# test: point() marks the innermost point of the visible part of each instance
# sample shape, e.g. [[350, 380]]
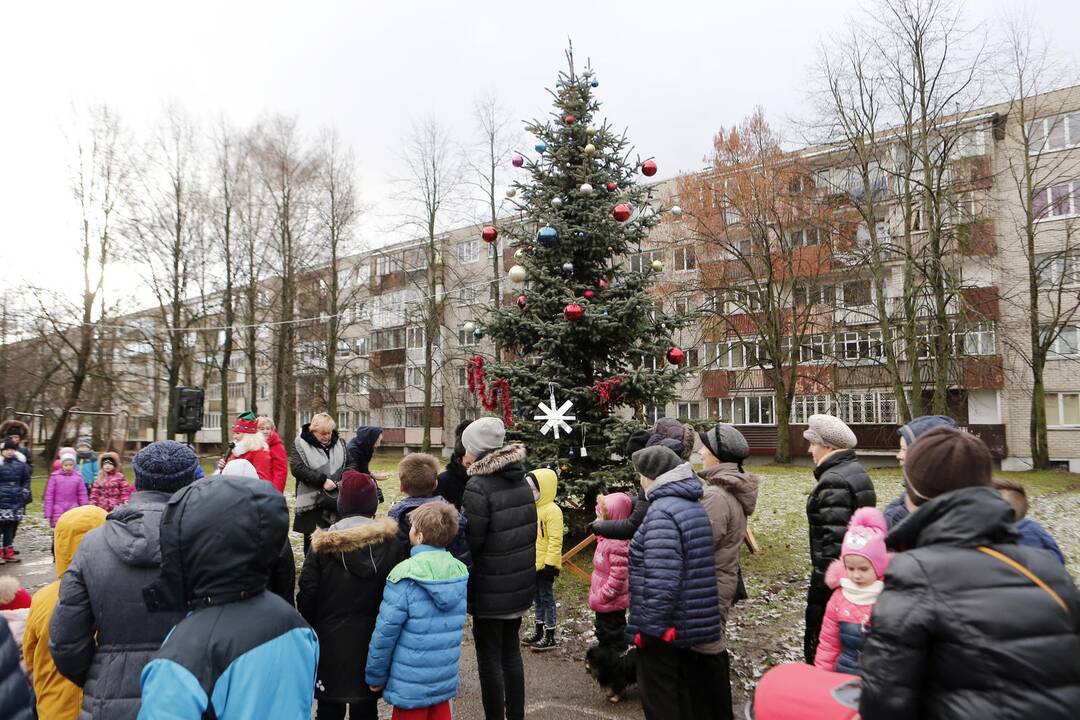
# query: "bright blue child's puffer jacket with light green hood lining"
[[417, 644]]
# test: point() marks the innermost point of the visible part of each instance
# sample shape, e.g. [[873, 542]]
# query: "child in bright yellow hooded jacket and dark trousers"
[[545, 483]]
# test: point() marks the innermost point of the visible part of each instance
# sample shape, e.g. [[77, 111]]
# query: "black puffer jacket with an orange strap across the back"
[[960, 634]]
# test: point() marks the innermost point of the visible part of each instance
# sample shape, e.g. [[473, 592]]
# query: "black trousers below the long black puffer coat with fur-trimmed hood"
[[499, 662]]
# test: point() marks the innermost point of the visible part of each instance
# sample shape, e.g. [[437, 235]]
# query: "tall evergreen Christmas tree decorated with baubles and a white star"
[[584, 330]]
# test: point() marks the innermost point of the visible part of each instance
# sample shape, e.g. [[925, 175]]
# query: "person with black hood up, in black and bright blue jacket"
[[241, 653]]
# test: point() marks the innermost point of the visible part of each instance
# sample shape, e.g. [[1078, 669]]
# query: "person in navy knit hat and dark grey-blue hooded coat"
[[102, 634]]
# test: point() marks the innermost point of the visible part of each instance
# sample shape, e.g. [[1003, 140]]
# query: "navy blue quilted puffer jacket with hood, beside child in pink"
[[672, 573]]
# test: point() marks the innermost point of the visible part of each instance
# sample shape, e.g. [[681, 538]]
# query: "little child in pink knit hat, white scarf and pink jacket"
[[857, 582]]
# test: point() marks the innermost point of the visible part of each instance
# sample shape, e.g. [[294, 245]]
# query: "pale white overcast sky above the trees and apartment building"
[[672, 72]]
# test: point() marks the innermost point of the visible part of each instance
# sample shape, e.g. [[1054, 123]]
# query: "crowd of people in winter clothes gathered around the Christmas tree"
[[179, 599]]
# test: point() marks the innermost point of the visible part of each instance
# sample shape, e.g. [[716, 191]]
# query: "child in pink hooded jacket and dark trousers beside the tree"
[[610, 597]]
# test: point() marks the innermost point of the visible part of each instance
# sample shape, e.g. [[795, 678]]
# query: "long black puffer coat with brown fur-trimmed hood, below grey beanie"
[[503, 534]]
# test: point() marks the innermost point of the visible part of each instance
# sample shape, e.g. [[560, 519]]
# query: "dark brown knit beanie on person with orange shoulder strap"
[[947, 459]]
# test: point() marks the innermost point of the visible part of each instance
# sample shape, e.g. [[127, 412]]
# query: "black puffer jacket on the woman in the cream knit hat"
[[843, 487]]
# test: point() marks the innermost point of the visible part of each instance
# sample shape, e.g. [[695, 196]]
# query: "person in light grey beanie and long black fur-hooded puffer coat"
[[502, 533]]
